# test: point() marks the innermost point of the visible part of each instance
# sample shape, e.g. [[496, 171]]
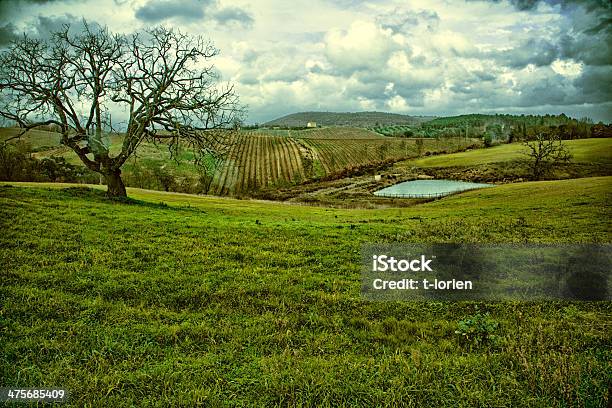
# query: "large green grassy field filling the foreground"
[[178, 300]]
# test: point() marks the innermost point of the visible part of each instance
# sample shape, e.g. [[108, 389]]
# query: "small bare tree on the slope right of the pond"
[[544, 153]]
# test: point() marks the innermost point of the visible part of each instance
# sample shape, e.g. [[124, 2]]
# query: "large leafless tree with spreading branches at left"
[[160, 79]]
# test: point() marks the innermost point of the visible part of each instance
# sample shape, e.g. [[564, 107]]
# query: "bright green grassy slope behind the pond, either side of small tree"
[[583, 150]]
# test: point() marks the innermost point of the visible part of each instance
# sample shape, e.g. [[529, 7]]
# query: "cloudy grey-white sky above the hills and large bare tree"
[[434, 57]]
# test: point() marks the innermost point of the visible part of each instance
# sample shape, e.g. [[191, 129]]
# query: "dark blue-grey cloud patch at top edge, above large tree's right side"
[[158, 10]]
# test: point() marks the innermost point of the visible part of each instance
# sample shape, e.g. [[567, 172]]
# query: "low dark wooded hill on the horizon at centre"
[[357, 119]]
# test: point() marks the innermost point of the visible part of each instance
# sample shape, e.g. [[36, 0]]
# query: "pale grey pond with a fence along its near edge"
[[428, 188]]
